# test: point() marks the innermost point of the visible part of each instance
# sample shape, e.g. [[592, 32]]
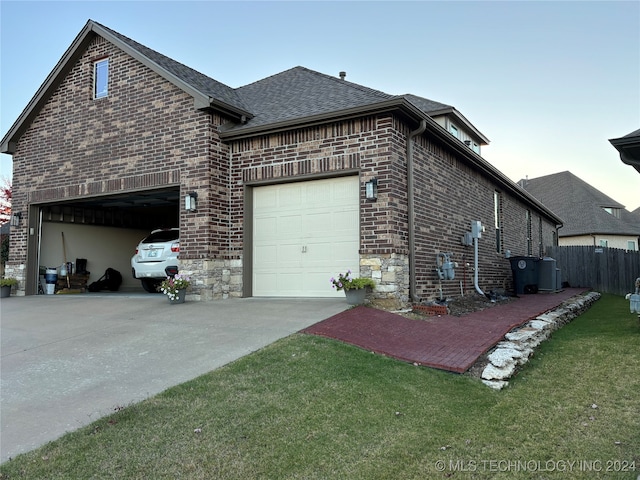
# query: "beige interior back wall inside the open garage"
[[103, 247]]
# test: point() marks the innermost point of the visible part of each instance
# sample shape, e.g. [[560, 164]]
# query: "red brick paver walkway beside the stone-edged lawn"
[[446, 342]]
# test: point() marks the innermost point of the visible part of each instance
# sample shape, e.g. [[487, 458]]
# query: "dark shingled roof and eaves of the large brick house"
[[291, 99]]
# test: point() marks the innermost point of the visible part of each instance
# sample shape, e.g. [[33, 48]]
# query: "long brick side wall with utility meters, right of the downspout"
[[450, 194]]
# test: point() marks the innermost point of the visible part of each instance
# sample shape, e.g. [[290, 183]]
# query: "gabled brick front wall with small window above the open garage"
[[145, 134]]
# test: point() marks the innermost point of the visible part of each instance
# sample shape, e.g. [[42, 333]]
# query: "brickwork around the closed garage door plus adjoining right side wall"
[[449, 195]]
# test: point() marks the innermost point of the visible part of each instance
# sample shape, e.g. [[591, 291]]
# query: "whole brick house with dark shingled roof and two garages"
[[118, 134]]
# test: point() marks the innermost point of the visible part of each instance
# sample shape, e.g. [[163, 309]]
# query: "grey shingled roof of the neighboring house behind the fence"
[[581, 206]]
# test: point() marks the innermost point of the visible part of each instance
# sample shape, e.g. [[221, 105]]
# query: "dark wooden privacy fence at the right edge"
[[606, 270]]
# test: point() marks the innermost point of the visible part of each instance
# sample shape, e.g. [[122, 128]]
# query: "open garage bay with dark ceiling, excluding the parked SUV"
[[104, 231]]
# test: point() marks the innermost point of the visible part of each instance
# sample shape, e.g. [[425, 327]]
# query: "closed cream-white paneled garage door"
[[304, 233]]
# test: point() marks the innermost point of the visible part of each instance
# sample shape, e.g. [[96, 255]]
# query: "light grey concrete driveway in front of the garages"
[[68, 360]]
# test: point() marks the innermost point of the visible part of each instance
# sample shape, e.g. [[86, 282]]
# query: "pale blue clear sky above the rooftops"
[[548, 82]]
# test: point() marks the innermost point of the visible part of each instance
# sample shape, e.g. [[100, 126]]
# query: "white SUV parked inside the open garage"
[[156, 258]]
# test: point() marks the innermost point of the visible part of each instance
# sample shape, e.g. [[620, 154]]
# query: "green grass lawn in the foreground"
[[312, 408]]
